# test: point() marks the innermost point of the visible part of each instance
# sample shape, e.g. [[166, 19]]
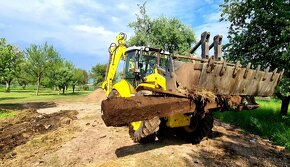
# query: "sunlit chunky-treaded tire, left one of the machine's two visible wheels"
[[146, 132]]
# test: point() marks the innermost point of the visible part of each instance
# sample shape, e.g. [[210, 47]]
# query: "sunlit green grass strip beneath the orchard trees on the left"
[[21, 96]]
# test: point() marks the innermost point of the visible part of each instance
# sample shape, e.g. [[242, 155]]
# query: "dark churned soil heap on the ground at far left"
[[17, 131]]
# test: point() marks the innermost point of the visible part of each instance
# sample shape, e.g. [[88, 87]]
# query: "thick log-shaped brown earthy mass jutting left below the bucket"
[[121, 111]]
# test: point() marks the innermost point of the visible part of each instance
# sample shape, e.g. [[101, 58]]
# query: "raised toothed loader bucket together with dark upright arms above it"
[[220, 77]]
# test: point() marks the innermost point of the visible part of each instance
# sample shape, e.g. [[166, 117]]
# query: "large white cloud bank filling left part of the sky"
[[87, 23]]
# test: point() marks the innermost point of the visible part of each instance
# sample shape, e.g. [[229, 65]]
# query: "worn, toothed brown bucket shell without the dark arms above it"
[[222, 78]]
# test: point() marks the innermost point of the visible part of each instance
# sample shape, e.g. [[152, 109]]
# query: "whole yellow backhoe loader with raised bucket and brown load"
[[160, 91]]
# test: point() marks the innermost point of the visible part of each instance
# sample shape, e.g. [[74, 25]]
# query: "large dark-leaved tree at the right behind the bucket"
[[259, 33]]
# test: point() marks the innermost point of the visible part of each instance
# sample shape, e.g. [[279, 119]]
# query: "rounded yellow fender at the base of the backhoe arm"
[[124, 88]]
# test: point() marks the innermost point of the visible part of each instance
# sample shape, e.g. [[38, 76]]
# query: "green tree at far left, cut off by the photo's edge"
[[10, 59]]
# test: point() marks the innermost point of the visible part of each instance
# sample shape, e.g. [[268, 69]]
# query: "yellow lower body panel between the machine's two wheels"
[[178, 120]]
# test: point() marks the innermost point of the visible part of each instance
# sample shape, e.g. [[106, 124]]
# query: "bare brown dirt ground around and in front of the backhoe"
[[73, 134]]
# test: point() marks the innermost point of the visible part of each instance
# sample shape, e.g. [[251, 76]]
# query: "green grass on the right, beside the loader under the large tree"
[[264, 121]]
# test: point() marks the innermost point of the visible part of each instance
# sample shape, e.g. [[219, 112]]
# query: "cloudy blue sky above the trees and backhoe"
[[81, 30]]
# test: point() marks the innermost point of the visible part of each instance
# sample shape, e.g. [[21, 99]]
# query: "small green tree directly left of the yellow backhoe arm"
[[98, 73]]
